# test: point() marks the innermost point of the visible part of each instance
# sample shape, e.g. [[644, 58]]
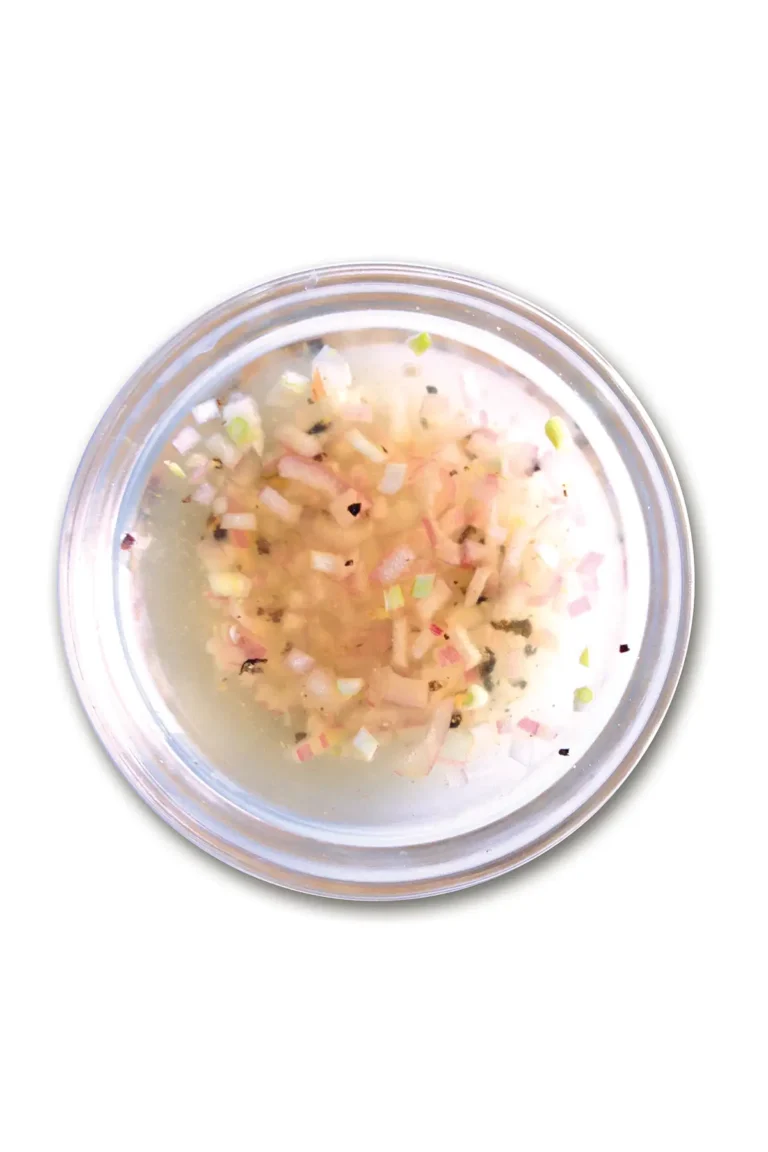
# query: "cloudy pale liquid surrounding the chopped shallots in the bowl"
[[245, 752]]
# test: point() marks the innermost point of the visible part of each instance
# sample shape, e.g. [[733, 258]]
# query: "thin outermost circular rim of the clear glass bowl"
[[370, 890]]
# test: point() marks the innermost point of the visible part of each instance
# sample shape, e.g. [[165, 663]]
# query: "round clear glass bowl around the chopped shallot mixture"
[[354, 835]]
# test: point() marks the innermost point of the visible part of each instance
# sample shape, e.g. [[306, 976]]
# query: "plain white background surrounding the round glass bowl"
[[605, 160]]
